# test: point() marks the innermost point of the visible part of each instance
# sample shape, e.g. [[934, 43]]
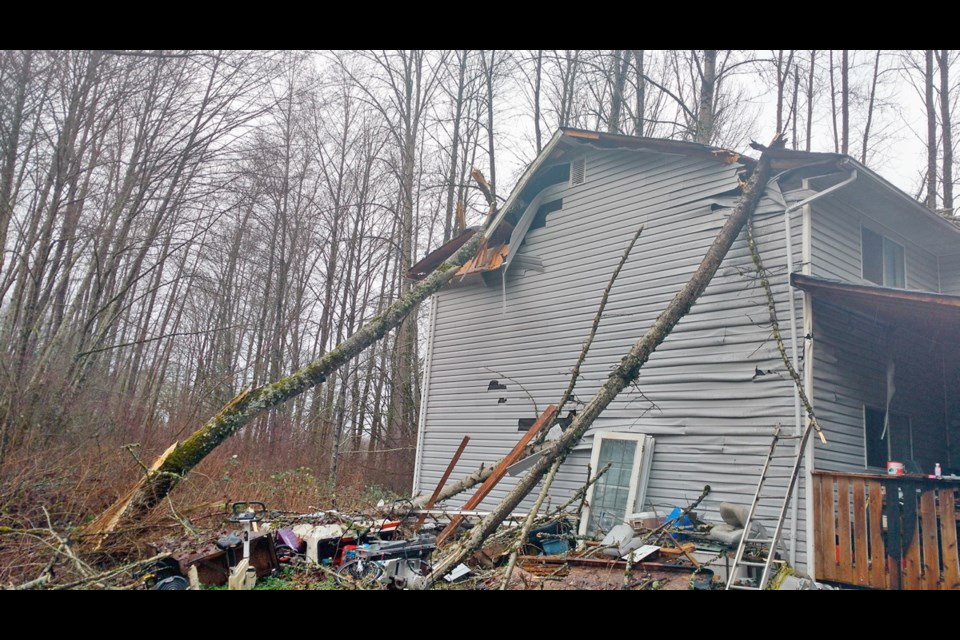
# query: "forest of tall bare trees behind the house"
[[178, 225]]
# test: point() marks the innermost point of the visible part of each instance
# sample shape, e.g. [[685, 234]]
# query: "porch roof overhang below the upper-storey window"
[[935, 315]]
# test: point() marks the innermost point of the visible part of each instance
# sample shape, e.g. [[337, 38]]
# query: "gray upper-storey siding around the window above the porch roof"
[[836, 247]]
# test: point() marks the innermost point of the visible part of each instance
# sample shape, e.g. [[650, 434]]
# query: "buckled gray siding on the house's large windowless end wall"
[[711, 415]]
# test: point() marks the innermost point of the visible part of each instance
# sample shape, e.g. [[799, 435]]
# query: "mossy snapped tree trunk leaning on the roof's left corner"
[[176, 462]]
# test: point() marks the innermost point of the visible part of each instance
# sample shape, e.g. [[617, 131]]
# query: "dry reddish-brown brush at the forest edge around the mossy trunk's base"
[[62, 486]]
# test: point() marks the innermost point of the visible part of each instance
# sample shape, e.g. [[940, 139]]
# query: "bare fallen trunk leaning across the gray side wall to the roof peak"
[[624, 374]]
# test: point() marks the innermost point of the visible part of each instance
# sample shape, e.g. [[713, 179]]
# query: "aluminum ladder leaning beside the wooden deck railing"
[[768, 495]]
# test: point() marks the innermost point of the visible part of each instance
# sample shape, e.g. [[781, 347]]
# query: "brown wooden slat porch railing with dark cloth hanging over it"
[[886, 532]]
